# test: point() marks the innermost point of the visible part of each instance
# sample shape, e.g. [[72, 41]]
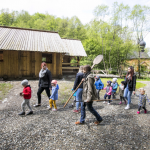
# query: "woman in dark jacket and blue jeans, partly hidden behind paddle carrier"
[[79, 77]]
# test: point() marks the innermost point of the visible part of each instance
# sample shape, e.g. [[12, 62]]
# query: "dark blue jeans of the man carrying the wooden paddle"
[[91, 109]]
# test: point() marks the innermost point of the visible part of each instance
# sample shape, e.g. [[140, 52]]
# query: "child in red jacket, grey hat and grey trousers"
[[27, 95]]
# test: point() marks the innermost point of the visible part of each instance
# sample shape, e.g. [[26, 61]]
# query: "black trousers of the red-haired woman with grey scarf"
[[40, 90]]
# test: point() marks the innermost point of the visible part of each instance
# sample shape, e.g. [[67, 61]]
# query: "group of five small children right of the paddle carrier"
[[111, 89]]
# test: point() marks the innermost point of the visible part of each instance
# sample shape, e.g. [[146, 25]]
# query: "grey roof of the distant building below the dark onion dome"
[[135, 55]]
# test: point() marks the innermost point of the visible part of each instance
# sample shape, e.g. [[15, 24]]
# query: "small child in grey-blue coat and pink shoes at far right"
[[142, 100]]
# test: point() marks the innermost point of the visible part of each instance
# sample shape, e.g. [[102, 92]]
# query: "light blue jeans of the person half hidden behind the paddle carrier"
[[79, 98]]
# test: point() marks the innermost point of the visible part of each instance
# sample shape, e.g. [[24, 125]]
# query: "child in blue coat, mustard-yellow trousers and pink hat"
[[54, 95]]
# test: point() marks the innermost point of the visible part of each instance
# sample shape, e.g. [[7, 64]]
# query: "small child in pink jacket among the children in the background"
[[108, 89]]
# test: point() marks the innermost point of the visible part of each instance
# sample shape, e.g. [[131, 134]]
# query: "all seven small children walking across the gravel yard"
[[111, 89]]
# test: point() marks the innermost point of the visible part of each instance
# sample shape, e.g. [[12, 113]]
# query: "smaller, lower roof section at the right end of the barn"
[[74, 47]]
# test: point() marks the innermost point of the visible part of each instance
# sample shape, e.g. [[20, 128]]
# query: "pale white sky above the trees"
[[83, 9]]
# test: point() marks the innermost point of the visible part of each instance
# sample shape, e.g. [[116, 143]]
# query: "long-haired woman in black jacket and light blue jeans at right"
[[130, 85]]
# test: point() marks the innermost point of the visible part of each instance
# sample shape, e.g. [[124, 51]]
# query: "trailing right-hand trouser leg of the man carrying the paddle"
[[93, 111]]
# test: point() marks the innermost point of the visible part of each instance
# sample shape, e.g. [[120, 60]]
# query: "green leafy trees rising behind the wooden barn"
[[108, 34]]
